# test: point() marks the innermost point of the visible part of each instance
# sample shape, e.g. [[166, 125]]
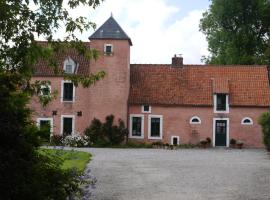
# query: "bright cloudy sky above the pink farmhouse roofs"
[[158, 28]]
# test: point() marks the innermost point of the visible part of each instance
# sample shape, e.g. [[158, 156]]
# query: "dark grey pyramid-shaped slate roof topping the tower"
[[110, 30]]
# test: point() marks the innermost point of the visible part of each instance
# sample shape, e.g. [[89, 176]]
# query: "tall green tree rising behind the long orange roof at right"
[[237, 32]]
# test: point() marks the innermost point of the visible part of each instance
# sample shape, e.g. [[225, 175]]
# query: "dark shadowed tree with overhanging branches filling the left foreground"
[[24, 173]]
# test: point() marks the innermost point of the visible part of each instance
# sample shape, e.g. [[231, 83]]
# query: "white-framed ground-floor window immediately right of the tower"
[[136, 126]]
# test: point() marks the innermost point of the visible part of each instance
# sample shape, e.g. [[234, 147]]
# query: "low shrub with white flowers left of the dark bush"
[[76, 140]]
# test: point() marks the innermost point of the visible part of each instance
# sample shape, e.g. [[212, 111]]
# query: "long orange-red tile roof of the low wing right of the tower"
[[196, 84]]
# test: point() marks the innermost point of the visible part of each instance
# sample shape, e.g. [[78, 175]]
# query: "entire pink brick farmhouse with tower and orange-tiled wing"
[[173, 103]]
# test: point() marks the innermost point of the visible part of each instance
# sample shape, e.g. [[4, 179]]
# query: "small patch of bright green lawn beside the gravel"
[[71, 158]]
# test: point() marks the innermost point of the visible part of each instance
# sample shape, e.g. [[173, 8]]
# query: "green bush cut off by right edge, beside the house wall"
[[264, 121]]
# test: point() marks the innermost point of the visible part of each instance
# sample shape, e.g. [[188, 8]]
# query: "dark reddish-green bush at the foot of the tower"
[[106, 134]]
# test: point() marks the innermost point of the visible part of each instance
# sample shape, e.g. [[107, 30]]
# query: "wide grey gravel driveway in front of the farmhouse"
[[218, 174]]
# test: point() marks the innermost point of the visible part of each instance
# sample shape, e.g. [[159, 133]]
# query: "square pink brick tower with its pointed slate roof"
[[110, 95]]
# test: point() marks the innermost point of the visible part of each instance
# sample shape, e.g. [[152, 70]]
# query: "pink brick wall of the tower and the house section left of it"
[[107, 96]]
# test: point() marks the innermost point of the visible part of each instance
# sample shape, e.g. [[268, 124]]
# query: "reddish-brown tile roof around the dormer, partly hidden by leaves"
[[42, 68]]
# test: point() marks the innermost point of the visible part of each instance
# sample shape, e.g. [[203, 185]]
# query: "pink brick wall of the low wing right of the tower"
[[176, 123]]
